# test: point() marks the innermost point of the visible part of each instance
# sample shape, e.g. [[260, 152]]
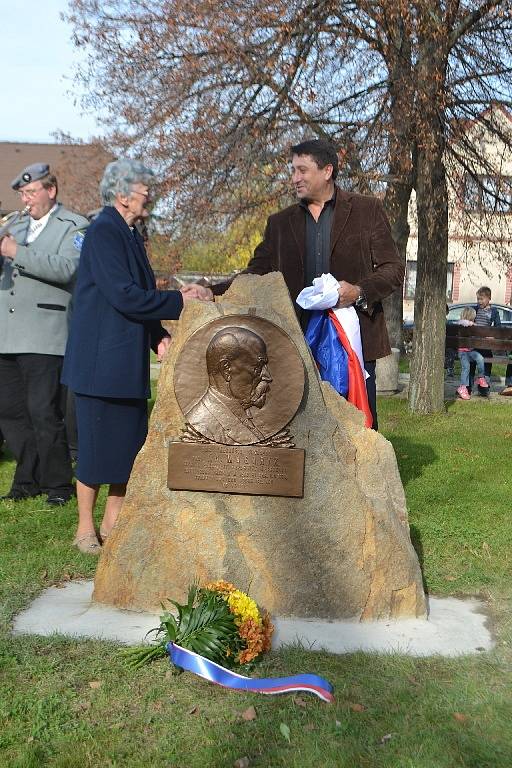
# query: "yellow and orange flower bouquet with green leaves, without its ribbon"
[[218, 622]]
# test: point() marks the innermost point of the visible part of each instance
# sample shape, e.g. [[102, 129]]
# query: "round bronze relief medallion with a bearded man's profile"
[[239, 380]]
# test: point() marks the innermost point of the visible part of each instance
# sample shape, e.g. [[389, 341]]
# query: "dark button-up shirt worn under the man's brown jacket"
[[318, 245]]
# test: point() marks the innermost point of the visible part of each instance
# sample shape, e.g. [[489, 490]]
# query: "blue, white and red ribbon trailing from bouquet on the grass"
[[209, 670]]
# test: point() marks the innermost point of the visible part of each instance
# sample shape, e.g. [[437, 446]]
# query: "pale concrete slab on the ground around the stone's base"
[[455, 627]]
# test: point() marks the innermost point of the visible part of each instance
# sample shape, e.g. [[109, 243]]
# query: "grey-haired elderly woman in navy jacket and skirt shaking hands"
[[116, 319]]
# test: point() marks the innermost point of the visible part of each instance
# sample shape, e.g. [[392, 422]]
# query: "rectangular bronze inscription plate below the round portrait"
[[237, 469]]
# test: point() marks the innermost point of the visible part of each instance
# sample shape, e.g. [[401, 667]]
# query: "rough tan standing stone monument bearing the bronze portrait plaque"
[[256, 472]]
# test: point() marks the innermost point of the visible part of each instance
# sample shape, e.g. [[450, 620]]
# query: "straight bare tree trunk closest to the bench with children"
[[426, 387]]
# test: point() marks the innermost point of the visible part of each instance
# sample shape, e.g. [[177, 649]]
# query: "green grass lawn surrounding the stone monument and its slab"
[[74, 704]]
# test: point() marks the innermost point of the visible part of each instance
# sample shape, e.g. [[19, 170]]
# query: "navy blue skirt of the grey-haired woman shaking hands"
[[111, 432]]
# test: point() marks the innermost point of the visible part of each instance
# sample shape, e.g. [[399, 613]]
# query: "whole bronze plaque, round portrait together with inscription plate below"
[[239, 381]]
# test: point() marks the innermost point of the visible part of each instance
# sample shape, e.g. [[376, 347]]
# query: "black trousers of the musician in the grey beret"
[[32, 422]]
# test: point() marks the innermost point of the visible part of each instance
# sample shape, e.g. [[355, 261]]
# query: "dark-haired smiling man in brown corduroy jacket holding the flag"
[[329, 230]]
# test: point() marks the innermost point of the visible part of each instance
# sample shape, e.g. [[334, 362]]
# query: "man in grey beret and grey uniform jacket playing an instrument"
[[39, 260]]
